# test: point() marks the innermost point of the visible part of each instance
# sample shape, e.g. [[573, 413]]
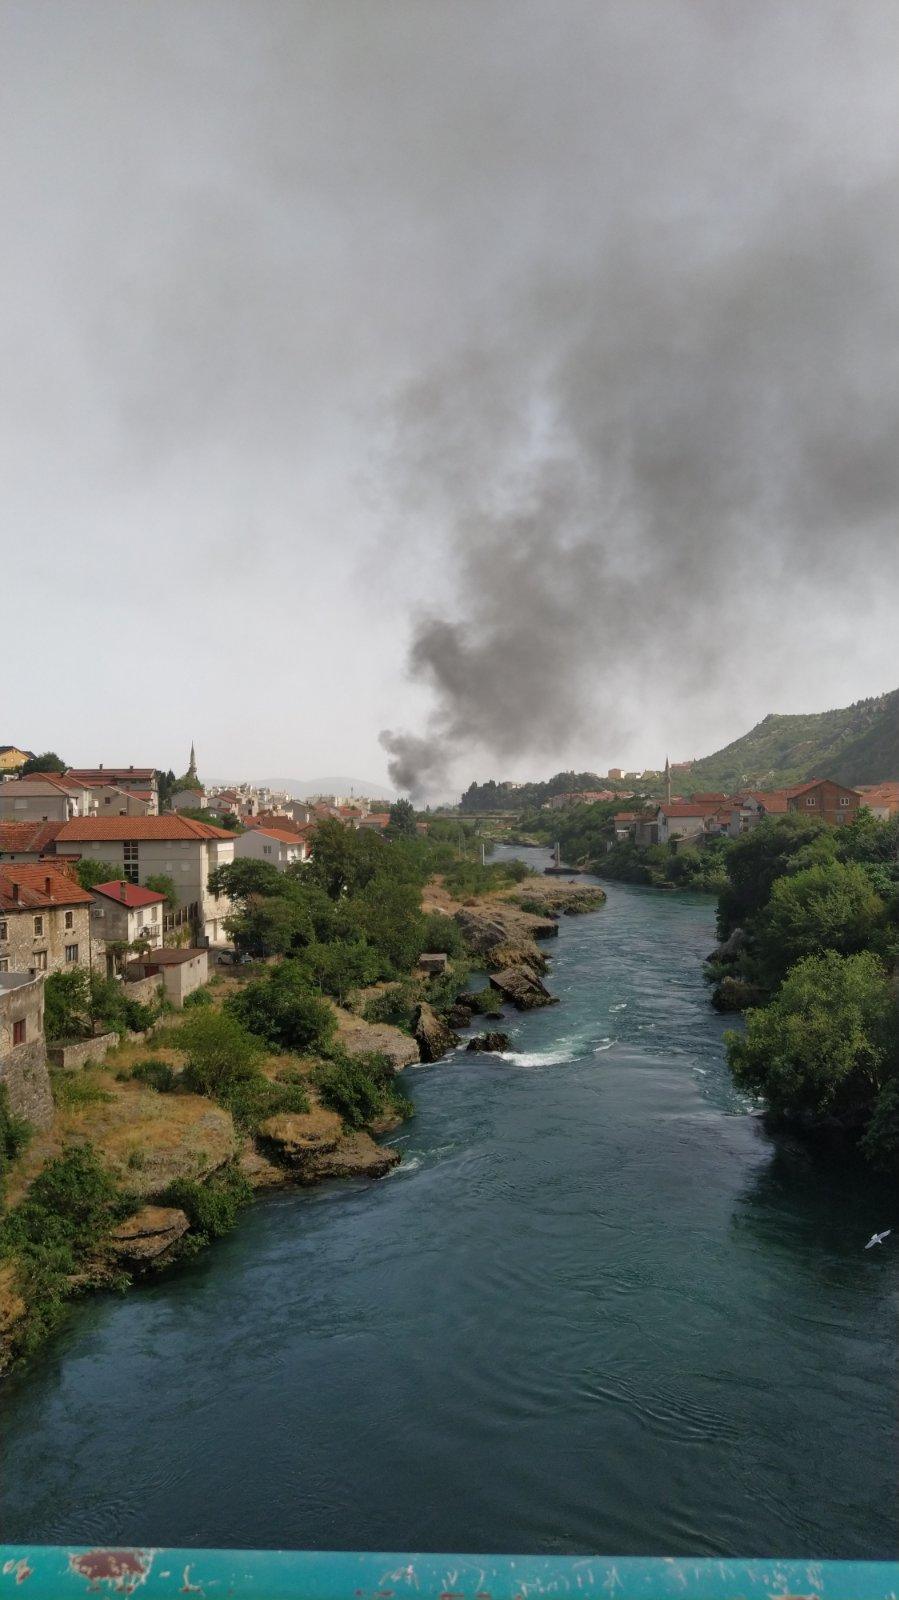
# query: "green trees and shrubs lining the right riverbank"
[[809, 927]]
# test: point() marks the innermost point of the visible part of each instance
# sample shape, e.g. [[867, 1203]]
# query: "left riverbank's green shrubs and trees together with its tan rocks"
[[279, 1073]]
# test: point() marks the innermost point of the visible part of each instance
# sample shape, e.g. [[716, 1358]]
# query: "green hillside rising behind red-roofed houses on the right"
[[858, 745]]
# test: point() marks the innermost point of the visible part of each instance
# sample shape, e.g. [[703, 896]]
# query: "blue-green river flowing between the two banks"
[[597, 1308]]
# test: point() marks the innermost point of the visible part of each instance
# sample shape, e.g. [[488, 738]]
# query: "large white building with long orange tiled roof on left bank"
[[177, 847]]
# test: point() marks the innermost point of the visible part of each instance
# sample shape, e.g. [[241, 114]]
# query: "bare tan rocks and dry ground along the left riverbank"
[[174, 1156]]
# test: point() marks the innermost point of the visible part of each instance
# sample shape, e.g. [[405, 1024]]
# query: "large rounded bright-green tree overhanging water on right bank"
[[826, 1046]]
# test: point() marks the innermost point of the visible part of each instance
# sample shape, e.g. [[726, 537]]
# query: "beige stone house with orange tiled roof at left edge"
[[46, 921]]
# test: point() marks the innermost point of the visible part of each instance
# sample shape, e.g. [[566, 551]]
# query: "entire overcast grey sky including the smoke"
[[521, 378]]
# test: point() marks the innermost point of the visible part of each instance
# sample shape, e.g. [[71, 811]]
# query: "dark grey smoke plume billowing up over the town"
[[673, 470]]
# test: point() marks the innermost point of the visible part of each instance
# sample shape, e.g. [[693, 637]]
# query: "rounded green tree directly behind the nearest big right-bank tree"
[[826, 908]]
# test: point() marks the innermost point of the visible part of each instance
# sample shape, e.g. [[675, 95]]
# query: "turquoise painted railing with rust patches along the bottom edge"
[[66, 1574]]
